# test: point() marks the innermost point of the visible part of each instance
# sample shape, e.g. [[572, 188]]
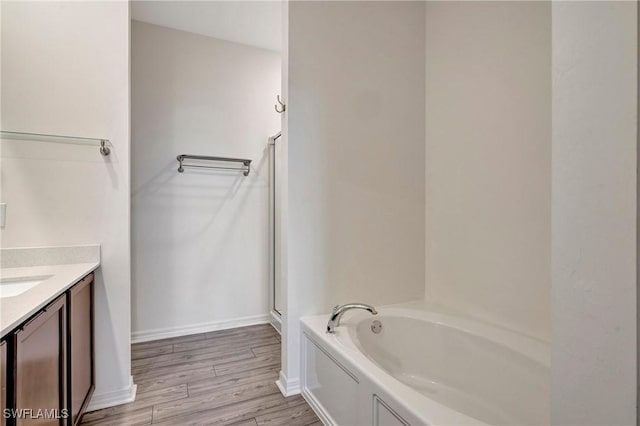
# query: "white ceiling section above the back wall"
[[256, 23]]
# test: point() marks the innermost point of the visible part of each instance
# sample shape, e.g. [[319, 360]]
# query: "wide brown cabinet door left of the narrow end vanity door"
[[40, 387]]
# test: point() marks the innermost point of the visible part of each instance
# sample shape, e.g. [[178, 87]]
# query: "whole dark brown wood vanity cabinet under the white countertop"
[[47, 362]]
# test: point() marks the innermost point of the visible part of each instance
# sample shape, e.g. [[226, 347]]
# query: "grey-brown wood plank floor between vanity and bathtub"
[[220, 378]]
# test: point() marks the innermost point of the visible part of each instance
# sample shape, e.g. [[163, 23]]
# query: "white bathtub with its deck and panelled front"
[[423, 367]]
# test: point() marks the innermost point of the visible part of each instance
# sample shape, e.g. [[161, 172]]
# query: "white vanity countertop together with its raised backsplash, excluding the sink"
[[58, 267]]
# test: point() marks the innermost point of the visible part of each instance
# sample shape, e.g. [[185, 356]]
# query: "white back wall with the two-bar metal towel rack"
[[200, 238]]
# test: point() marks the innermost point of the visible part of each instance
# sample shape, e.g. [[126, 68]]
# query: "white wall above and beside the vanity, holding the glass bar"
[[65, 70]]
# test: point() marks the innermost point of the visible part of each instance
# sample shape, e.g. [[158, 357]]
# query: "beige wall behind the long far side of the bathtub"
[[488, 161]]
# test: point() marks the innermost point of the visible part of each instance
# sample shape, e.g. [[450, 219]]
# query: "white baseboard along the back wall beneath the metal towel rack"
[[164, 333]]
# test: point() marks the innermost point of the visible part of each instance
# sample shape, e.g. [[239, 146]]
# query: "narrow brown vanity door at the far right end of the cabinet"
[[81, 346]]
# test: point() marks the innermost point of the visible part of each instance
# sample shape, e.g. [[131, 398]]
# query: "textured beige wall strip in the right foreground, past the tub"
[[594, 213]]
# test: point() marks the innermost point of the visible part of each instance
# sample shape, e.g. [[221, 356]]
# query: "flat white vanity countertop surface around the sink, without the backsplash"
[[15, 310]]
